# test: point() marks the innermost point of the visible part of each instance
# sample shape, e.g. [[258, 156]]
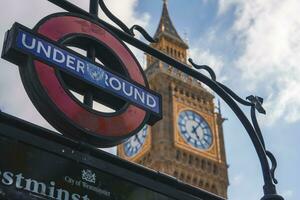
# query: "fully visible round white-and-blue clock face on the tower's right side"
[[194, 129]]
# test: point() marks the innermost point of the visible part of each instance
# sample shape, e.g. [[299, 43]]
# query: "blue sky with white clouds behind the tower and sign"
[[254, 48]]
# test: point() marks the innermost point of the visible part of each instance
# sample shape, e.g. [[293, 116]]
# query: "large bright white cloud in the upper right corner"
[[269, 32]]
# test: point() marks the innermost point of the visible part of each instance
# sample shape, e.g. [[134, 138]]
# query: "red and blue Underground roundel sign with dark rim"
[[50, 70]]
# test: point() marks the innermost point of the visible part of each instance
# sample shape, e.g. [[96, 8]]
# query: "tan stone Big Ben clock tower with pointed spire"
[[188, 142]]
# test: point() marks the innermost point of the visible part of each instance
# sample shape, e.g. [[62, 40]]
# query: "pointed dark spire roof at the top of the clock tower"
[[166, 26]]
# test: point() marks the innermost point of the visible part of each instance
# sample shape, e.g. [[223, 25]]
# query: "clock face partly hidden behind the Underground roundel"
[[134, 144]]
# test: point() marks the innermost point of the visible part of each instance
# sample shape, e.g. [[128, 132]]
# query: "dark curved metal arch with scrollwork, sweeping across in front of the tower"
[[254, 102]]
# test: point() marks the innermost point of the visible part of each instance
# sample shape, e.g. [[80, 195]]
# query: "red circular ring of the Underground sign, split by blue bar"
[[123, 124]]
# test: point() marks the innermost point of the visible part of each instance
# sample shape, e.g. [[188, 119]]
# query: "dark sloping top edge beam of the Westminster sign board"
[[22, 132]]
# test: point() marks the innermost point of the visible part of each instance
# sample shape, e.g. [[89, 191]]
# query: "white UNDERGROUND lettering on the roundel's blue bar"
[[65, 59]]
